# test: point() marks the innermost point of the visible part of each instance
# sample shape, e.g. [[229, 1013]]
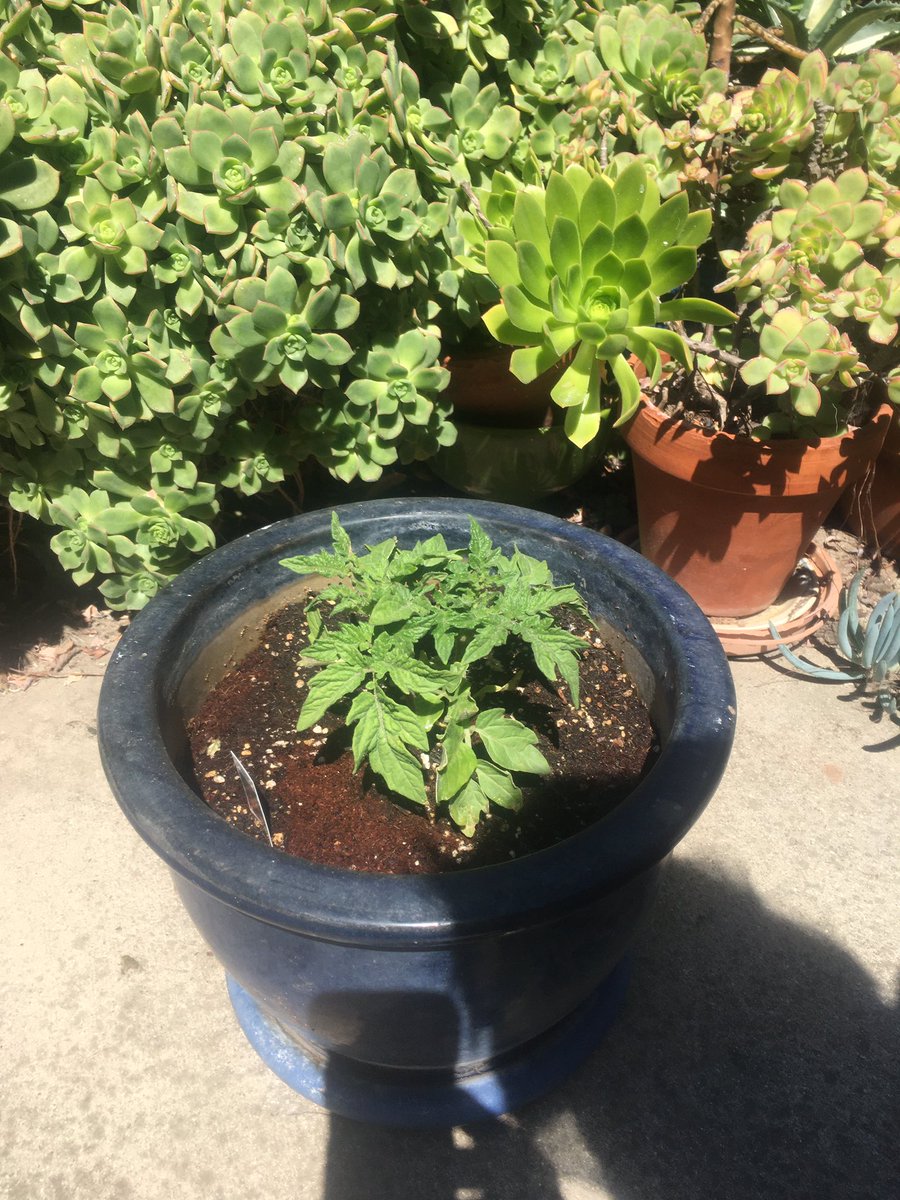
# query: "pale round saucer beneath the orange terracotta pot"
[[809, 598]]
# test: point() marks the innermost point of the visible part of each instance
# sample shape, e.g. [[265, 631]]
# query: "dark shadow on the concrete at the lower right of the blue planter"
[[754, 1061]]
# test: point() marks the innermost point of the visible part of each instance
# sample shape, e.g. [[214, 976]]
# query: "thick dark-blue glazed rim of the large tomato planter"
[[340, 905]]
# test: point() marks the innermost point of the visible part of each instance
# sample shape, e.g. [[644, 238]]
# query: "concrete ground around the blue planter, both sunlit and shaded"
[[755, 1060]]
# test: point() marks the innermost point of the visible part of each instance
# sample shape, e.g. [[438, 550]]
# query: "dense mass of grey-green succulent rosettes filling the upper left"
[[229, 239]]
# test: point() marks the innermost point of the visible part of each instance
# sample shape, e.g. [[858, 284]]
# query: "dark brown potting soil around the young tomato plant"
[[322, 812]]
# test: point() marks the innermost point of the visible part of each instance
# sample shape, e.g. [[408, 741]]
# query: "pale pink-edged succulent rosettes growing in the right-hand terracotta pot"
[[819, 280]]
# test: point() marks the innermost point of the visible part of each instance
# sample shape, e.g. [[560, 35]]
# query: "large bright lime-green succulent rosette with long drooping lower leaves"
[[583, 274]]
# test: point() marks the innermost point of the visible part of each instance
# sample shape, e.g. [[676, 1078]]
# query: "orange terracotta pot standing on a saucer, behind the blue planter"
[[729, 518]]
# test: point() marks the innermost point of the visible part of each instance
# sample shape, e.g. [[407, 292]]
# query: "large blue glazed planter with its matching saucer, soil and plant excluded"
[[416, 1000]]
